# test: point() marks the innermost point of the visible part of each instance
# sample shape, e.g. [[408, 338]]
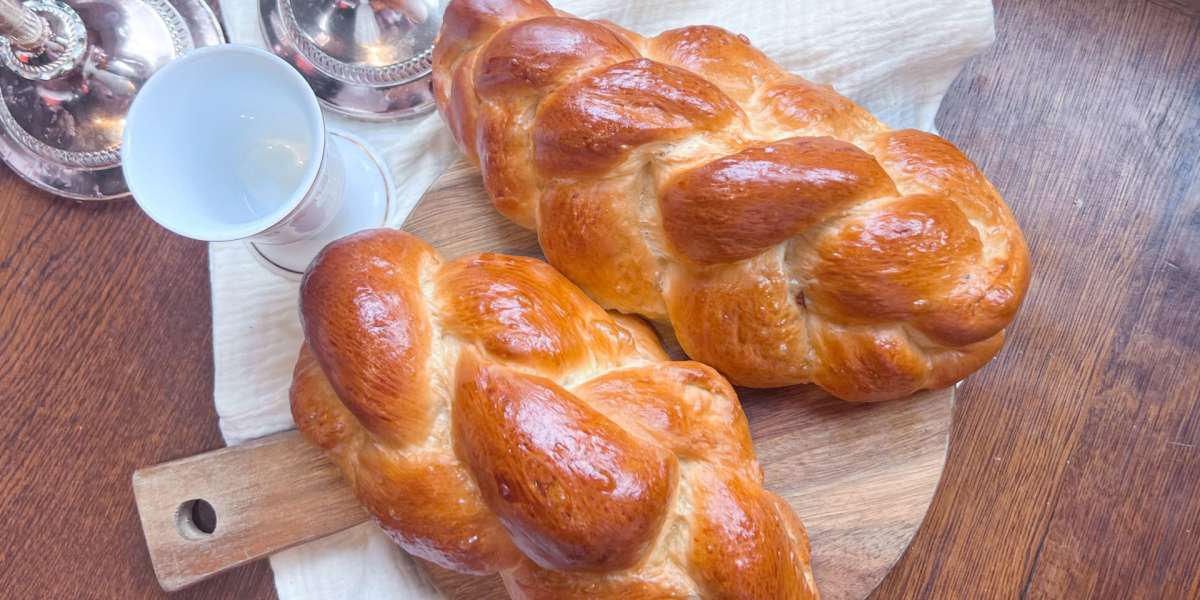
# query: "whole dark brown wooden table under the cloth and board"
[[1075, 466]]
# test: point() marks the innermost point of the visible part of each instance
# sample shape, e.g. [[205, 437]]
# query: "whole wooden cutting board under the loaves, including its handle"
[[860, 476]]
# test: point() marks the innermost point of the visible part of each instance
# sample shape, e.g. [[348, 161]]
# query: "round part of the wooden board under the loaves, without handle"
[[861, 477]]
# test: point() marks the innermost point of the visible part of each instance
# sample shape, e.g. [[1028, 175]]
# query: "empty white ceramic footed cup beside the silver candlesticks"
[[229, 143]]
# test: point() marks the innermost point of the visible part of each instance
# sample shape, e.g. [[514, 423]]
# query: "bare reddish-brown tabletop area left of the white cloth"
[[105, 368]]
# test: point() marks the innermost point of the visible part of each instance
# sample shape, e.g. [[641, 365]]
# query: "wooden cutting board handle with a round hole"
[[266, 496]]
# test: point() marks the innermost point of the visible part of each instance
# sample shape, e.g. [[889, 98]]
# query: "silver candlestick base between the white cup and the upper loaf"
[[364, 59]]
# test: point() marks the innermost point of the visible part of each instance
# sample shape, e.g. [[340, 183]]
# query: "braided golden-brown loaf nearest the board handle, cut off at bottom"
[[494, 419]]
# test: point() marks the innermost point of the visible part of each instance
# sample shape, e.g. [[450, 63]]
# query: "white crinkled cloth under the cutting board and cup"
[[895, 57]]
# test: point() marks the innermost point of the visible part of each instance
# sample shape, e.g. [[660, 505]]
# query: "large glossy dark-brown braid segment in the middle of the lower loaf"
[[581, 494]]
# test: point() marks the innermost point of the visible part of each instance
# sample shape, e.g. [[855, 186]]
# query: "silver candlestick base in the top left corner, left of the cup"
[[70, 71]]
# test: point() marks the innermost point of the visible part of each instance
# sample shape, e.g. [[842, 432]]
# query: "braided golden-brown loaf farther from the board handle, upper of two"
[[787, 235]]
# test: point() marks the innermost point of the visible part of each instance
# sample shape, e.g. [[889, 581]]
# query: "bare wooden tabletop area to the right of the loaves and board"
[[1076, 458]]
